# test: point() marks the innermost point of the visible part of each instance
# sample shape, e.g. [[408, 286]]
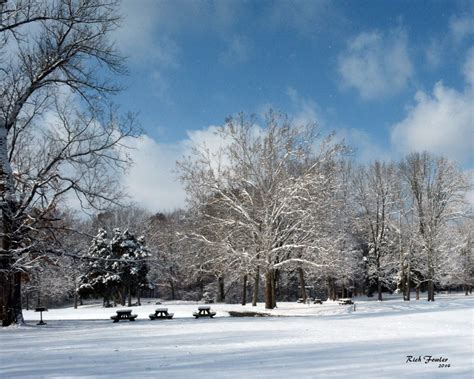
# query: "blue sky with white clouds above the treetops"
[[388, 76]]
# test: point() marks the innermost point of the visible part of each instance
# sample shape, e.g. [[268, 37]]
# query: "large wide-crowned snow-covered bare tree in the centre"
[[255, 186]]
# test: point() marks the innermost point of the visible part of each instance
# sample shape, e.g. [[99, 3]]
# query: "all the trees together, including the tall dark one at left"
[[279, 202]]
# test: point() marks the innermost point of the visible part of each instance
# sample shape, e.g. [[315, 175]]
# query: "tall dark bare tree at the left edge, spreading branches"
[[50, 47]]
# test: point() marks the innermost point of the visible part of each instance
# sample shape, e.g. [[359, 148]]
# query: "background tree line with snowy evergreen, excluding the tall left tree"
[[280, 212]]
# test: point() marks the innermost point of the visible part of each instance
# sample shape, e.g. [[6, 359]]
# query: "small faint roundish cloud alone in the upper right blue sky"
[[376, 64]]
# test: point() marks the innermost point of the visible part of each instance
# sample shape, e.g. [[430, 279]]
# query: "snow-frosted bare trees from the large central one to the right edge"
[[282, 197]]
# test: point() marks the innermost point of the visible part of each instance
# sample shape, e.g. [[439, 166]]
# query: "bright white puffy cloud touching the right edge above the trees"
[[441, 123]]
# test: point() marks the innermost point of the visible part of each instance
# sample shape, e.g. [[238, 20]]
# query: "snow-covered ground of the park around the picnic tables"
[[306, 341]]
